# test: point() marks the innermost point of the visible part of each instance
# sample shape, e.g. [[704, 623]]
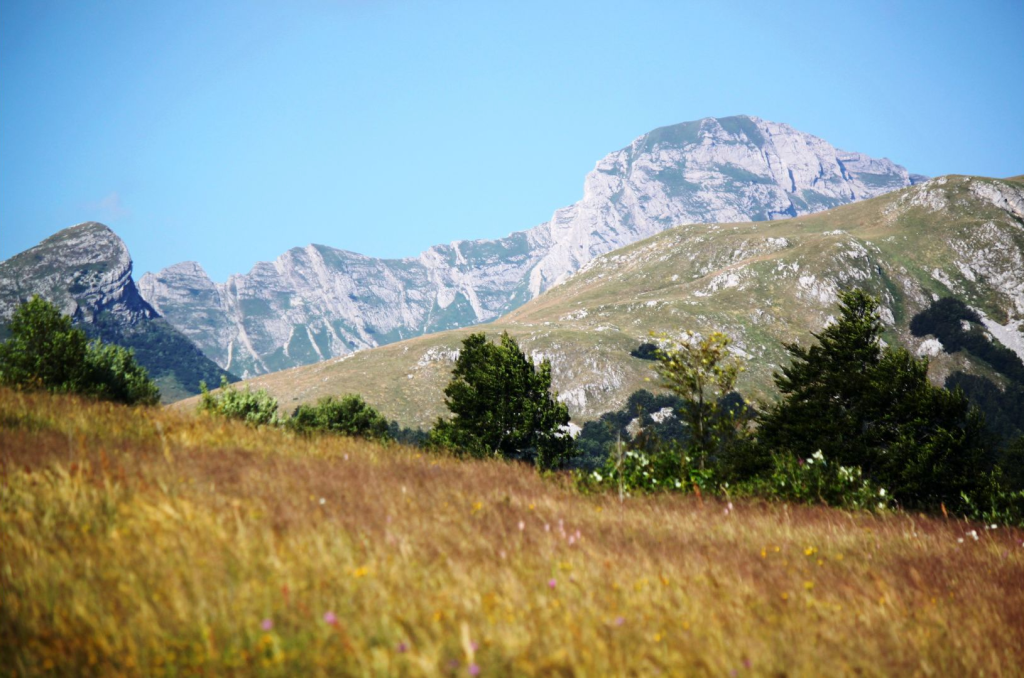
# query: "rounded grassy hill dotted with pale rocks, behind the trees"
[[765, 284]]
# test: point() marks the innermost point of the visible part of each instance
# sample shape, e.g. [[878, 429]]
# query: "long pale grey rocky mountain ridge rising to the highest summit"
[[318, 303]]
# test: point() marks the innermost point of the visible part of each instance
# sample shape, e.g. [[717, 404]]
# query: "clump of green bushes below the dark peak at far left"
[[47, 353]]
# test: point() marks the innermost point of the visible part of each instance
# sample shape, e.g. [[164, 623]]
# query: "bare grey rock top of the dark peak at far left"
[[86, 271]]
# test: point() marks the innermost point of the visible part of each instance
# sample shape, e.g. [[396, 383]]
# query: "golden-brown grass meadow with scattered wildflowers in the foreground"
[[154, 542]]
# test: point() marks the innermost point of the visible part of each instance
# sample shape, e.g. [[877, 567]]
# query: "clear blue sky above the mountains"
[[228, 133]]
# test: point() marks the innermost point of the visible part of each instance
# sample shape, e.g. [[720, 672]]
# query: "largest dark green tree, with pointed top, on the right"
[[876, 410]]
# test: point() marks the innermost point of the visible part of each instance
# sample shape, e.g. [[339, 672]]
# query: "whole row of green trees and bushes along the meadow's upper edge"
[[857, 426]]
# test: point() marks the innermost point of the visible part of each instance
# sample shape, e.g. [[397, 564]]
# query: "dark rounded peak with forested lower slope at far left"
[[87, 272]]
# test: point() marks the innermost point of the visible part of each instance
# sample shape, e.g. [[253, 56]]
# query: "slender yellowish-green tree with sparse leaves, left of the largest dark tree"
[[703, 373]]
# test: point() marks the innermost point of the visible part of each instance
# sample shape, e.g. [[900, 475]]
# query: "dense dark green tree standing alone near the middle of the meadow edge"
[[502, 406]]
